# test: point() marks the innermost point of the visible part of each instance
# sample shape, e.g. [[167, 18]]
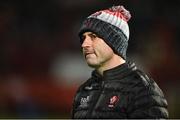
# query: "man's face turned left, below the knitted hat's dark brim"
[[95, 50]]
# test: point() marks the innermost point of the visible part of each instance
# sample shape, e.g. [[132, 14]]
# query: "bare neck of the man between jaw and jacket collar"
[[113, 62]]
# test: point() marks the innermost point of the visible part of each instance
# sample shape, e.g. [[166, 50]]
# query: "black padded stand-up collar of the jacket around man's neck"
[[116, 72]]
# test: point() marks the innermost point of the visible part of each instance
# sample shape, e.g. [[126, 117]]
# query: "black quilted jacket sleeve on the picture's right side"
[[149, 102]]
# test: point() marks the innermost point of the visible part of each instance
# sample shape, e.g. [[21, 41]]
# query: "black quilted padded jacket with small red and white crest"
[[122, 92]]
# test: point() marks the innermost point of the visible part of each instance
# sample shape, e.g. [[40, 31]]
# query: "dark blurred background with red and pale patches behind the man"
[[41, 64]]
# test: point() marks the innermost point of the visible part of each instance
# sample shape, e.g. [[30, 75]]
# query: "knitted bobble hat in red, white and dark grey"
[[110, 25]]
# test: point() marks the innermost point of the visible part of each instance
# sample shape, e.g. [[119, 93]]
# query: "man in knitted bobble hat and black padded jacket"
[[116, 89]]
